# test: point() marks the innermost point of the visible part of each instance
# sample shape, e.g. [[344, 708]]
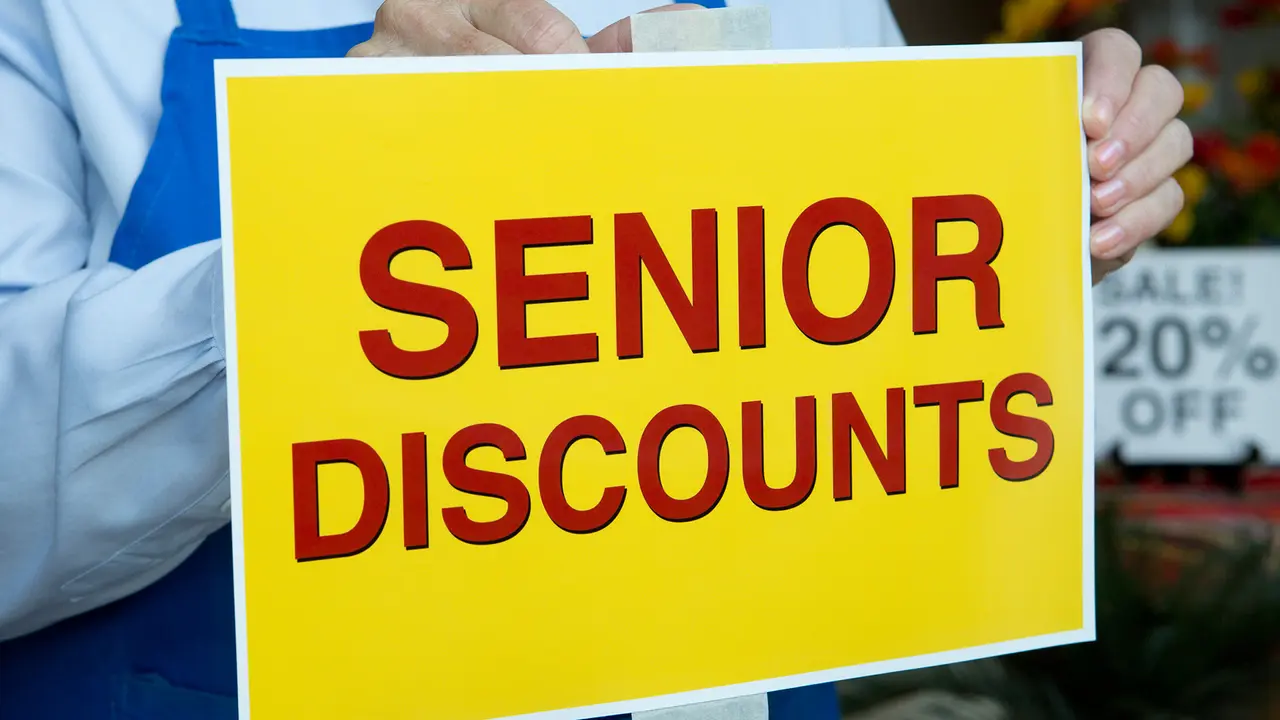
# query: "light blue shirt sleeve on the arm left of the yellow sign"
[[113, 404]]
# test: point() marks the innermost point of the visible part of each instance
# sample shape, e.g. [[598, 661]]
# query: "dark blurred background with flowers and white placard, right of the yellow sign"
[[1188, 402]]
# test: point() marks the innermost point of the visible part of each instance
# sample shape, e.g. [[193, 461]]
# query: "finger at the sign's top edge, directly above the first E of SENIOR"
[[533, 28]]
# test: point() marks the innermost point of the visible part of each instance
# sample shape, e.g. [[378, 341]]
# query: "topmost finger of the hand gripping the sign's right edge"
[[1112, 62]]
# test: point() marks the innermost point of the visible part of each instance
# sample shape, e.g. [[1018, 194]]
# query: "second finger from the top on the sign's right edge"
[[1156, 99]]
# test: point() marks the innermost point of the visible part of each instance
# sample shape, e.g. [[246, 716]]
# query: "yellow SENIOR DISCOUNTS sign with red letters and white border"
[[572, 386]]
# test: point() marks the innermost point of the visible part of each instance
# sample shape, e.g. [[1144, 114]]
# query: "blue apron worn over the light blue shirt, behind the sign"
[[168, 653]]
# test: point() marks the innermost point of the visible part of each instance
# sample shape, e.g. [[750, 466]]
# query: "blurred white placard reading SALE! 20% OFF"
[[1188, 344]]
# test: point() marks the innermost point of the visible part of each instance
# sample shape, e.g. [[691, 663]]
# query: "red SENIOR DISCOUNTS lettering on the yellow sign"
[[696, 309]]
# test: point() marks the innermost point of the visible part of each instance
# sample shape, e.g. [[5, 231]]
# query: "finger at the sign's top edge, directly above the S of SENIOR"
[[428, 29]]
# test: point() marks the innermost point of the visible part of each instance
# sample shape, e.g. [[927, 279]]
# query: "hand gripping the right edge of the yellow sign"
[[1136, 145]]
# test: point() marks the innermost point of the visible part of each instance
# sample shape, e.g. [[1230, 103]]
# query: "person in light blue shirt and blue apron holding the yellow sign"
[[116, 572]]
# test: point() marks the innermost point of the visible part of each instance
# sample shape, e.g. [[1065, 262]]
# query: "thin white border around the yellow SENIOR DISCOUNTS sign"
[[226, 70]]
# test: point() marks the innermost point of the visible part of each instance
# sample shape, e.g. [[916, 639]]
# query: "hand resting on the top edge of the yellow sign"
[[486, 28]]
